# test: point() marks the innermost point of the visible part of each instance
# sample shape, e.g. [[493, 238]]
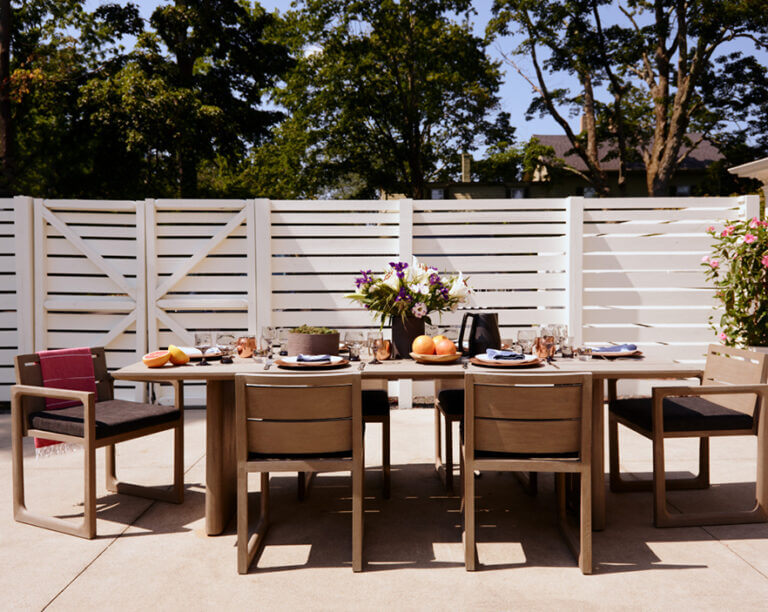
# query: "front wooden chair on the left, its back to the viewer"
[[296, 424]]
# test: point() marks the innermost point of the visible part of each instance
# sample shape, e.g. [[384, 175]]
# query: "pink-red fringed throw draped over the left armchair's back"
[[65, 369]]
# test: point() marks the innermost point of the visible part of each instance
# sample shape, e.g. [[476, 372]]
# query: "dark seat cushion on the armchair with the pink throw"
[[113, 417]]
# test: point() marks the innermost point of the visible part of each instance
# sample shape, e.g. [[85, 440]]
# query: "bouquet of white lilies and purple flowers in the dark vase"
[[404, 291]]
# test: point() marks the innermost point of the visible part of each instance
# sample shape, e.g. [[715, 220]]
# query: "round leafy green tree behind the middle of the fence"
[[384, 94]]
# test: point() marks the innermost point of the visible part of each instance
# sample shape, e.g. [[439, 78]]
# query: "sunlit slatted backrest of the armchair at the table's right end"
[[731, 366]]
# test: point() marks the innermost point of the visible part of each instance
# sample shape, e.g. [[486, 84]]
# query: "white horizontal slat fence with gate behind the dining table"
[[141, 275]]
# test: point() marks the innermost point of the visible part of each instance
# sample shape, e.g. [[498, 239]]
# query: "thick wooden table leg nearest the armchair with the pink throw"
[[220, 464]]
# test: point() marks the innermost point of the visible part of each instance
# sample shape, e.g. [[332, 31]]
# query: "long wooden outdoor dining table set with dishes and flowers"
[[221, 469]]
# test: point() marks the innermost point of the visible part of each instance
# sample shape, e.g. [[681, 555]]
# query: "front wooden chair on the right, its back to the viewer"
[[530, 422]]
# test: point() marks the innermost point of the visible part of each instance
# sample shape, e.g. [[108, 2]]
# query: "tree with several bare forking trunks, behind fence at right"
[[654, 67]]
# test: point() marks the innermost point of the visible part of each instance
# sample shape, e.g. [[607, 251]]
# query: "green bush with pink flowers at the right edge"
[[738, 267]]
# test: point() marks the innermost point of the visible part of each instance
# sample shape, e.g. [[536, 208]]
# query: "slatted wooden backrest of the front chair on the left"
[[287, 415]]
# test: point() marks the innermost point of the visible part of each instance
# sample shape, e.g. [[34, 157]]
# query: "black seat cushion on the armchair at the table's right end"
[[681, 414]]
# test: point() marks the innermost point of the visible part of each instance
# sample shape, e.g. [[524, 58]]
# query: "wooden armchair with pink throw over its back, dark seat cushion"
[[98, 421]]
